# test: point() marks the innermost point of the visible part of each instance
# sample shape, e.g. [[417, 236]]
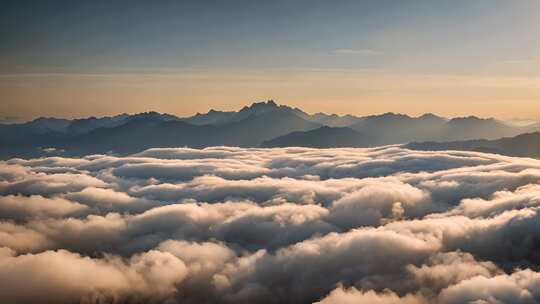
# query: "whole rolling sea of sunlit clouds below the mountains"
[[292, 225]]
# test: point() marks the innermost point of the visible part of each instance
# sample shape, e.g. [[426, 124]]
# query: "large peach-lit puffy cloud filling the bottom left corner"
[[65, 277]]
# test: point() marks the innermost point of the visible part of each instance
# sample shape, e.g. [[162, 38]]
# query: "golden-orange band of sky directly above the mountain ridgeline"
[[333, 91]]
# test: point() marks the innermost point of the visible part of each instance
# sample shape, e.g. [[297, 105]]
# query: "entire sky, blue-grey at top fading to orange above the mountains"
[[81, 58]]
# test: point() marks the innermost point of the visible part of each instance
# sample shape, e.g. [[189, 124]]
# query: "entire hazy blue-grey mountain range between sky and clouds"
[[265, 124]]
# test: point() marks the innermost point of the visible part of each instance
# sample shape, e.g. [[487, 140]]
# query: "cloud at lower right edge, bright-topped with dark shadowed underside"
[[505, 239]]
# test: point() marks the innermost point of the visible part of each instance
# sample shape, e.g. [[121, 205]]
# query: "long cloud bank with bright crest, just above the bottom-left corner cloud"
[[242, 224]]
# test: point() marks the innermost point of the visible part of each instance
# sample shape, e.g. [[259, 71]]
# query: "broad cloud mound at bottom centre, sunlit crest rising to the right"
[[304, 271]]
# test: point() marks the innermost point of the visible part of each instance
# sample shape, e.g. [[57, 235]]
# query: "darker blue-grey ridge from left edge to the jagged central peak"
[[125, 134]]
